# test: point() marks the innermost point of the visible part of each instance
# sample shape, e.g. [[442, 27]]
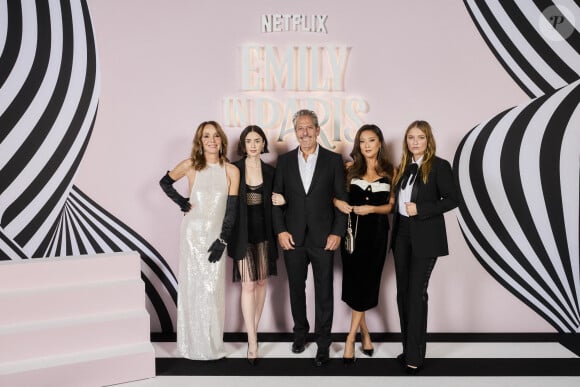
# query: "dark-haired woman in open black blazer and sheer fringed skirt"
[[252, 245]]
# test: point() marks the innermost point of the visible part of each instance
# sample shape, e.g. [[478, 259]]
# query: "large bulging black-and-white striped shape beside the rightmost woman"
[[519, 181]]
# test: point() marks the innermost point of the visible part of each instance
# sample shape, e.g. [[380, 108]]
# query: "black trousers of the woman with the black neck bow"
[[412, 274]]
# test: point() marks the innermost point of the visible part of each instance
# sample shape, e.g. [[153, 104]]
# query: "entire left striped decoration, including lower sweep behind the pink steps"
[[49, 89]]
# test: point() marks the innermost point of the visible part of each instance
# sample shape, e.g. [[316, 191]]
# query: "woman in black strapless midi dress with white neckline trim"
[[369, 178]]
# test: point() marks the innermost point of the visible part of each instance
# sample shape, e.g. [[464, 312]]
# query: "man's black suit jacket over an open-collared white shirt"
[[310, 216]]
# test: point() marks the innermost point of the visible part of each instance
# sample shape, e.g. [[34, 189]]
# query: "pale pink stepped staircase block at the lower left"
[[74, 321]]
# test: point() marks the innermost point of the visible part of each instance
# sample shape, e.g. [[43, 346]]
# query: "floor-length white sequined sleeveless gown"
[[201, 289]]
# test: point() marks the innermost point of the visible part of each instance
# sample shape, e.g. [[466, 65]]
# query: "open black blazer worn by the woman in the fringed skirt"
[[238, 243]]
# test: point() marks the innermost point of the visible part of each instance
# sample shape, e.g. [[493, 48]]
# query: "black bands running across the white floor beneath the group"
[[386, 366]]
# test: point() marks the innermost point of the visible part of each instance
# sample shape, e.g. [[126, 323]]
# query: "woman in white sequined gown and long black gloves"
[[213, 185]]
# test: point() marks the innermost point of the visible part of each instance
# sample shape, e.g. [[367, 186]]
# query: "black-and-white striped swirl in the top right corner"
[[512, 31]]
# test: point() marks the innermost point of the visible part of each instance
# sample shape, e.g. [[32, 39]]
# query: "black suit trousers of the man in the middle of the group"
[[297, 261]]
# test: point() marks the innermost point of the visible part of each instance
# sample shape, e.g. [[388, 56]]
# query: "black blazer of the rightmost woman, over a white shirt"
[[439, 195]]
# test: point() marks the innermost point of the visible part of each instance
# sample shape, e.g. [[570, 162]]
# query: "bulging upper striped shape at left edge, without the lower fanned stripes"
[[49, 100]]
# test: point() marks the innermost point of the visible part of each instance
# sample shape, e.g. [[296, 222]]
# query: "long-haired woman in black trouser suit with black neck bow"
[[424, 190]]
